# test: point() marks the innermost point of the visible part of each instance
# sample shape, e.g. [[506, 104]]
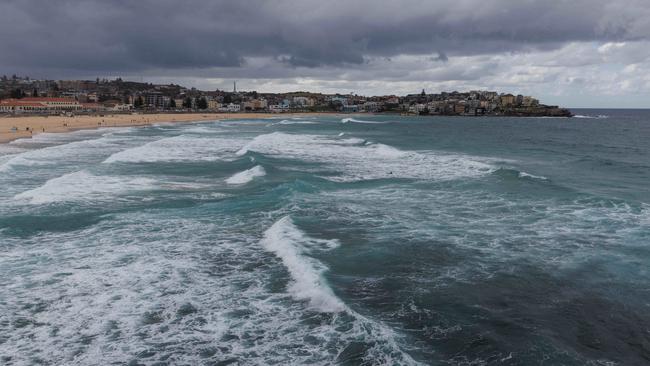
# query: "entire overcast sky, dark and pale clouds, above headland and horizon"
[[573, 53]]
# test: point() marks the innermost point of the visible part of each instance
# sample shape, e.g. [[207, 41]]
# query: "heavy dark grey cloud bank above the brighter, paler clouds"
[[113, 36]]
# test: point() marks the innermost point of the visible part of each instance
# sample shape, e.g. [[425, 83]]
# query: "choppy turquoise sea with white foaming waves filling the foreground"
[[322, 240]]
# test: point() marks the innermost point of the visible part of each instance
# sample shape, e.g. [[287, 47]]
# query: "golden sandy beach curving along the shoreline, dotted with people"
[[12, 128]]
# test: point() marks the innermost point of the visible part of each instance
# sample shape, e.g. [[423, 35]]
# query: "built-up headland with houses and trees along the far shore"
[[22, 95]]
